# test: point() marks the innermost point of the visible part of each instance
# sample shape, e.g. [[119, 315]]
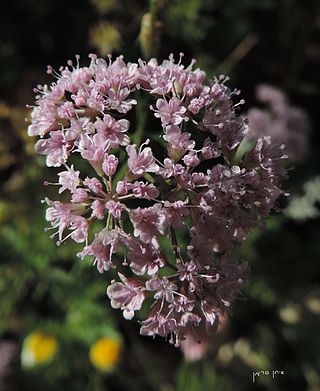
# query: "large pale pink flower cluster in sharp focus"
[[165, 217]]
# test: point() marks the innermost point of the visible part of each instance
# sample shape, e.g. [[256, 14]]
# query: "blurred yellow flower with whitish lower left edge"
[[38, 348]]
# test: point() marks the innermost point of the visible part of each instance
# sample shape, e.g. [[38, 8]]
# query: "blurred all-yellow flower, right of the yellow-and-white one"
[[105, 353]]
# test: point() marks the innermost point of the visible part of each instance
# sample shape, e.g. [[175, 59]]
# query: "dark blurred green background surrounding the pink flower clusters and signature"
[[57, 330]]
